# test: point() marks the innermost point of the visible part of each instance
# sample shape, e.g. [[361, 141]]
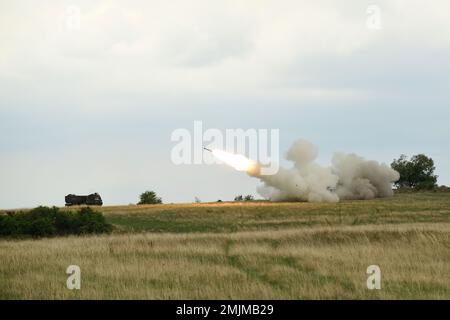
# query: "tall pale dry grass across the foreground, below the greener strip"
[[318, 262]]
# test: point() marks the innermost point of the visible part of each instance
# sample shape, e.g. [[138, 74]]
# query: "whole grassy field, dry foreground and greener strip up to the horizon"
[[255, 250]]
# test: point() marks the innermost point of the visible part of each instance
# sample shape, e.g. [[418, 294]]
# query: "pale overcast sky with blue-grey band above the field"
[[90, 107]]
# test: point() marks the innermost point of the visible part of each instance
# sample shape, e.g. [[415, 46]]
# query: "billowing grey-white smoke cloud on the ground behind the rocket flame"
[[349, 177]]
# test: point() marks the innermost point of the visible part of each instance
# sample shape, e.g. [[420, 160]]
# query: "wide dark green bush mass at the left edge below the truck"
[[48, 222]]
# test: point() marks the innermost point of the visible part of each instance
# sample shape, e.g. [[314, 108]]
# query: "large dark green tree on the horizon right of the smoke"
[[416, 173]]
